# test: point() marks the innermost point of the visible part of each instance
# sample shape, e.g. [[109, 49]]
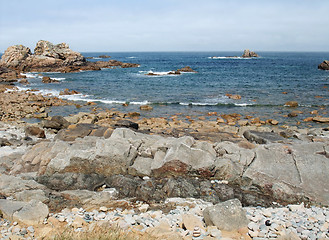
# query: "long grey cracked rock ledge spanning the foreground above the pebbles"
[[272, 171]]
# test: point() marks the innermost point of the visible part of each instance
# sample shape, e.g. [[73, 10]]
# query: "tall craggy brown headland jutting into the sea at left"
[[49, 57]]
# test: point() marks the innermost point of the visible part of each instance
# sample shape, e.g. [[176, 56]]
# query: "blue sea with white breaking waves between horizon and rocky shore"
[[265, 84]]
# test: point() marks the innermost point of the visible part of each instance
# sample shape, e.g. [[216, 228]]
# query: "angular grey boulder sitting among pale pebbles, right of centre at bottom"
[[228, 216]]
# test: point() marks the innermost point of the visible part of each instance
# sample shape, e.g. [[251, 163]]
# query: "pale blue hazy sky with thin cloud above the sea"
[[167, 25]]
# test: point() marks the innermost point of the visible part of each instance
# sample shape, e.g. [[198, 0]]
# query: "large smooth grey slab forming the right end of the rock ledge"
[[290, 173]]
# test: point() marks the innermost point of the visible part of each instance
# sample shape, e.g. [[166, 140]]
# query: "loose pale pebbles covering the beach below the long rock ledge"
[[265, 223]]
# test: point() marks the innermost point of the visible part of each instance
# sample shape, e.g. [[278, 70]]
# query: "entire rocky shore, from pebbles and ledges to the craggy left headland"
[[235, 177]]
